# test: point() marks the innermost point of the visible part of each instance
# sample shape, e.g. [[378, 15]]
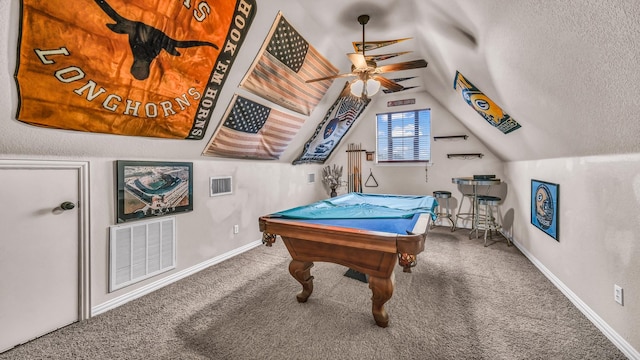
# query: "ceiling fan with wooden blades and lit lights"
[[368, 72]]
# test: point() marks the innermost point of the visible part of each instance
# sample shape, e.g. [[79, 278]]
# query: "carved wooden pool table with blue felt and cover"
[[365, 232]]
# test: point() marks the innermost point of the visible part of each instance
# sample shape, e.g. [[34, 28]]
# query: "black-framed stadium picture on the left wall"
[[153, 188]]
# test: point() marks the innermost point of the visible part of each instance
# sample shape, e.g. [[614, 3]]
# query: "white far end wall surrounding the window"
[[412, 179]]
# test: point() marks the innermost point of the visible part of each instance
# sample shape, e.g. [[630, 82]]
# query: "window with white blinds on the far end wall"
[[404, 136]]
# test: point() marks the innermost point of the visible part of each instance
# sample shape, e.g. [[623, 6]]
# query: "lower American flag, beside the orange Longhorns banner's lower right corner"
[[252, 130]]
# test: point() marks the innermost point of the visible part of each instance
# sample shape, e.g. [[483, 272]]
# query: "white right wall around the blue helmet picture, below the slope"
[[599, 220]]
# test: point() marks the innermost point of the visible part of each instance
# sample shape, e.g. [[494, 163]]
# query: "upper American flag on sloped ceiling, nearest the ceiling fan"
[[284, 63]]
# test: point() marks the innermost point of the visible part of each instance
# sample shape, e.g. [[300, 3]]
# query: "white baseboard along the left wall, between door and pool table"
[[149, 288]]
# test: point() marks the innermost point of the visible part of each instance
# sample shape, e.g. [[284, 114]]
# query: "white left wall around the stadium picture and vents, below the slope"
[[260, 188]]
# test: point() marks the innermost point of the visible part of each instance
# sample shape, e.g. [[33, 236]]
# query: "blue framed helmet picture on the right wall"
[[544, 207]]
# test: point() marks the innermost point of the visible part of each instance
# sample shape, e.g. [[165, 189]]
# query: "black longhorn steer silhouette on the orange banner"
[[146, 42]]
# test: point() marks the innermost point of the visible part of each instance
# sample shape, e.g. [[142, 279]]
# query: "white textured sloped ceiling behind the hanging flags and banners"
[[567, 71]]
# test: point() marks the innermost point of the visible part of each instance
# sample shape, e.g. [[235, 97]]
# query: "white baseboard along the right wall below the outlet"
[[607, 330]]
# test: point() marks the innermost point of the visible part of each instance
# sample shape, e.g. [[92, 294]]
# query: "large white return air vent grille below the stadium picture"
[[141, 250]]
